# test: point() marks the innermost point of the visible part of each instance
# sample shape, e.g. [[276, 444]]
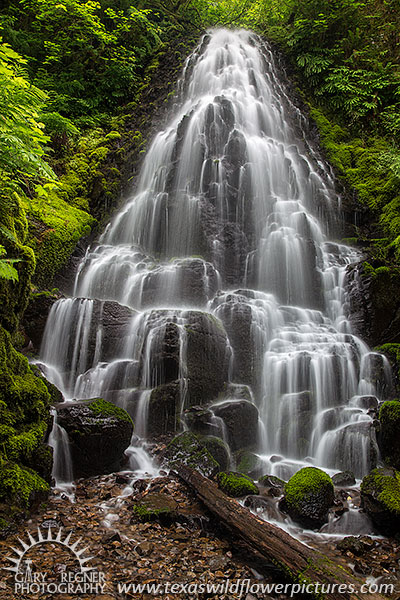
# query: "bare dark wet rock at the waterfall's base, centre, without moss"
[[241, 421]]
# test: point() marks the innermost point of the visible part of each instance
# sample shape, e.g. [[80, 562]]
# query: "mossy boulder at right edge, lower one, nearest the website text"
[[380, 497]]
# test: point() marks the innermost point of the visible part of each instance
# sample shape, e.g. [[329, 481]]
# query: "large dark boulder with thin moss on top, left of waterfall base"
[[99, 432]]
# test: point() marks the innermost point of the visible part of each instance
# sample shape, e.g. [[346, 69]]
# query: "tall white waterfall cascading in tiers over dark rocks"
[[223, 256]]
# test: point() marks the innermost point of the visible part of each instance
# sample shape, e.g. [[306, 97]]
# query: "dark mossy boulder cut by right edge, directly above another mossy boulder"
[[389, 416]]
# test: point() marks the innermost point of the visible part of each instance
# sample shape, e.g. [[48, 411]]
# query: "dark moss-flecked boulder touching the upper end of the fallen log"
[[186, 448]]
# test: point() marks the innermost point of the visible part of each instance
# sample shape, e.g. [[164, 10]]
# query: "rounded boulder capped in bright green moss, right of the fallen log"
[[308, 496]]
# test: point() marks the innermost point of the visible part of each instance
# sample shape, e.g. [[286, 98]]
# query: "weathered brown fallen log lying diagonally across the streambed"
[[296, 562]]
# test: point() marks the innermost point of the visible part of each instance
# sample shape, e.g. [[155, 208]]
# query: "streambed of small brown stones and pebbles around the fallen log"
[[155, 532]]
